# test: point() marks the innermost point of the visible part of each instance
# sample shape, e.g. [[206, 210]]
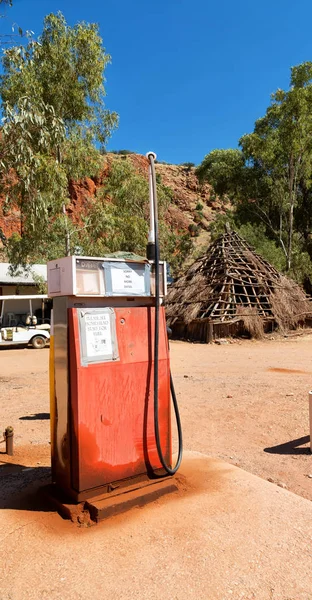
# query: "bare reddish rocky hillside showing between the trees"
[[192, 207]]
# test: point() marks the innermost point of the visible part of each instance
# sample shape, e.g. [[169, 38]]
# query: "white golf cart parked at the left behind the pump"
[[24, 325]]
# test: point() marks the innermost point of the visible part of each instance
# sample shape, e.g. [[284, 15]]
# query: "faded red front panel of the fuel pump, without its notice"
[[111, 404]]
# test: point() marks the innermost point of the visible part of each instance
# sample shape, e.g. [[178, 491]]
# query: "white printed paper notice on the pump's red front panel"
[[98, 335]]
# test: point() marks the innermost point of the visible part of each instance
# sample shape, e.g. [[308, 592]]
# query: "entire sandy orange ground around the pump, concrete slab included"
[[225, 533]]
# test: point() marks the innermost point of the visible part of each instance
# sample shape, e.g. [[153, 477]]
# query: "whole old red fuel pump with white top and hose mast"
[[110, 373]]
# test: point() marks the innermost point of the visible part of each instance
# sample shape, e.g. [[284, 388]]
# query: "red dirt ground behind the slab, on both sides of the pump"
[[245, 402]]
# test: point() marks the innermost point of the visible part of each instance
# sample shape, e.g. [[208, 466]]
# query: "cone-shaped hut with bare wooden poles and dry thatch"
[[231, 290]]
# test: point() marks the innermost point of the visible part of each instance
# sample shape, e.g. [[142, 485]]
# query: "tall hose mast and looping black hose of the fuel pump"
[[154, 254]]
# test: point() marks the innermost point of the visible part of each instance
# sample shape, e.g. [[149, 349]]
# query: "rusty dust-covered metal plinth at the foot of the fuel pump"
[[98, 508]]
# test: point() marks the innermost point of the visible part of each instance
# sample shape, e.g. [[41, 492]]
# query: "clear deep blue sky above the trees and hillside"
[[187, 77]]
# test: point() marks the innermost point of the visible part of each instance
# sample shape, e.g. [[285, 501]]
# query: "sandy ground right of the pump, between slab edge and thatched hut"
[[247, 403]]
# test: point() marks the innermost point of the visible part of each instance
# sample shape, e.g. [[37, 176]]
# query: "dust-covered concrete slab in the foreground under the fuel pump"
[[225, 535]]
